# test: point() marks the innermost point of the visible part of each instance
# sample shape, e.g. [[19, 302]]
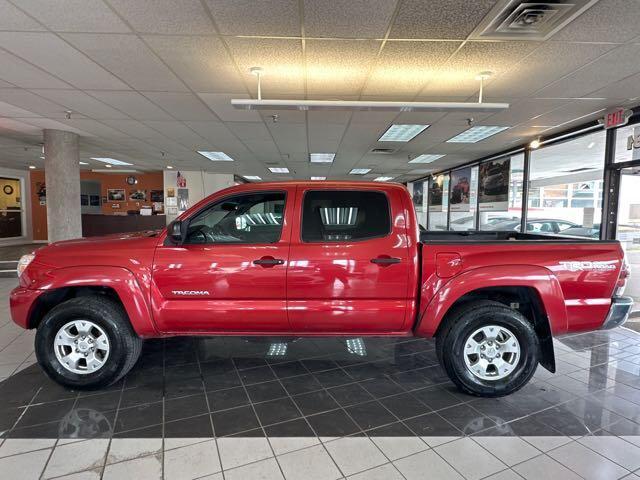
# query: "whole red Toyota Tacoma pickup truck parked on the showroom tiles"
[[318, 259]]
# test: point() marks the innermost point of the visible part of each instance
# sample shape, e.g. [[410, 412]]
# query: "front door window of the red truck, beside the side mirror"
[[247, 218]]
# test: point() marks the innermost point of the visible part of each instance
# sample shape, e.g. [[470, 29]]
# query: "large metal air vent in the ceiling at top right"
[[526, 20]]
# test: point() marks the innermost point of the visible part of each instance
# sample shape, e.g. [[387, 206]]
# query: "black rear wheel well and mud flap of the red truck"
[[525, 300]]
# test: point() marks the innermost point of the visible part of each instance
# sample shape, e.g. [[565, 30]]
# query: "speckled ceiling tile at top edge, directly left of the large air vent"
[[439, 18]]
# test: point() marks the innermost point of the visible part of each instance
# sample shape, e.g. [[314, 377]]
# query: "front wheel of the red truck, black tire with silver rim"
[[118, 355]]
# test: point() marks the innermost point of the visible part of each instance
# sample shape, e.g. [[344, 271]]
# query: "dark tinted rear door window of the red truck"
[[332, 215]]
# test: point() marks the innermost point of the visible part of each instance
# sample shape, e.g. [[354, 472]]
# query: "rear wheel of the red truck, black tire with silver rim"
[[462, 334]]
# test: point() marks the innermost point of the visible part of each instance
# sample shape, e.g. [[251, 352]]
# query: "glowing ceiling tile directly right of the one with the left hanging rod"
[[339, 67]]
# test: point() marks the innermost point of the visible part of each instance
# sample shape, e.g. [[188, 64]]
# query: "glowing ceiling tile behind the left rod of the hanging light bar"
[[281, 60]]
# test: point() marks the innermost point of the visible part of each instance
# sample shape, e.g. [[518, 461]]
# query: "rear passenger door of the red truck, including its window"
[[349, 262]]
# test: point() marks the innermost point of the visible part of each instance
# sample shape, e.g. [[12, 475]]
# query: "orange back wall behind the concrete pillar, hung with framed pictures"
[[146, 181]]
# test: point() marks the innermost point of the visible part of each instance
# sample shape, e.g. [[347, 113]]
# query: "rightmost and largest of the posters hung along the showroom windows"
[[493, 185]]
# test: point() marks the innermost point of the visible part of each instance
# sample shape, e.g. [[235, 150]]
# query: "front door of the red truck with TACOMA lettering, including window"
[[230, 273]]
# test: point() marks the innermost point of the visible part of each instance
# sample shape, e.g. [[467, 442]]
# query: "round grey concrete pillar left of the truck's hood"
[[62, 178]]
